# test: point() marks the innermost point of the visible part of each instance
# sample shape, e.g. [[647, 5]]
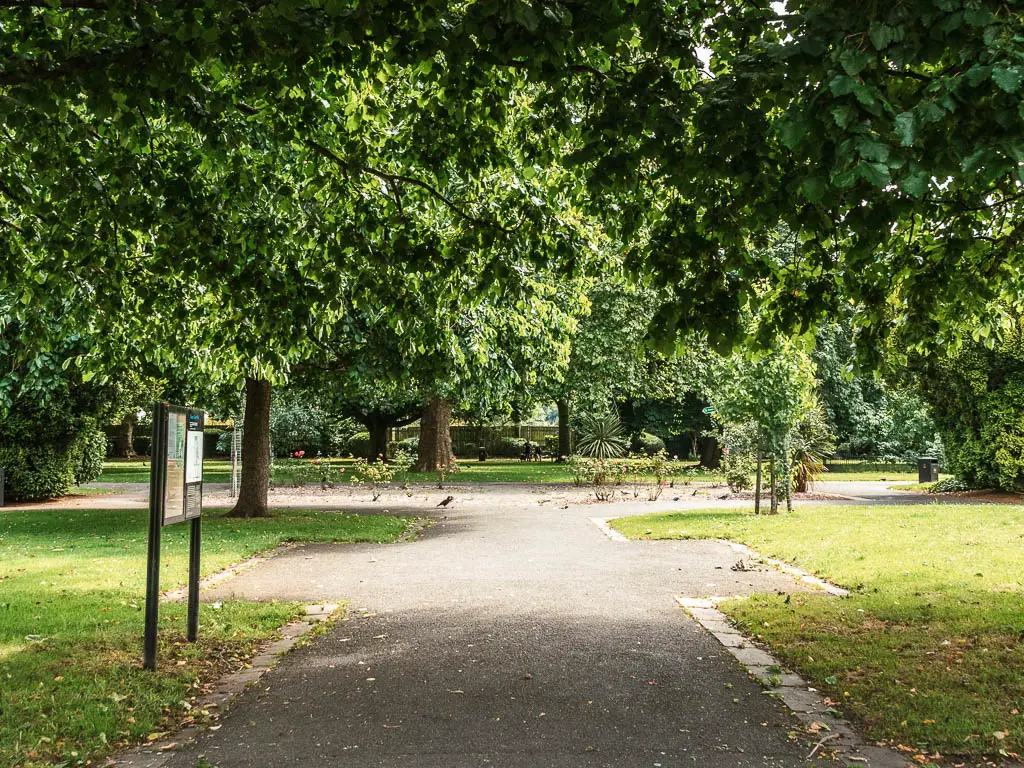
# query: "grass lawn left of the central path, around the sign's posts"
[[72, 598]]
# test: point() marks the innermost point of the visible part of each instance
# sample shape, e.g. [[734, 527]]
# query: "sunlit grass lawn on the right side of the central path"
[[929, 651]]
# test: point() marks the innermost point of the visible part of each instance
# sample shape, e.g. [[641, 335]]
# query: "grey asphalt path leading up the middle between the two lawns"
[[516, 636]]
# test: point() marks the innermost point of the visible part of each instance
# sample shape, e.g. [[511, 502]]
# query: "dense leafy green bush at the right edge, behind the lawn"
[[976, 396]]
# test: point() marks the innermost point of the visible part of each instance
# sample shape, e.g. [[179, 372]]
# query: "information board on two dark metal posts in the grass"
[[176, 496]]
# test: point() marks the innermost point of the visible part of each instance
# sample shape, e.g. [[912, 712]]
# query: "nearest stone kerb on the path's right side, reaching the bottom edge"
[[807, 705]]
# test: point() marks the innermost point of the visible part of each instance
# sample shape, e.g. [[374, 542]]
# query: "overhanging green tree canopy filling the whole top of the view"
[[269, 148]]
